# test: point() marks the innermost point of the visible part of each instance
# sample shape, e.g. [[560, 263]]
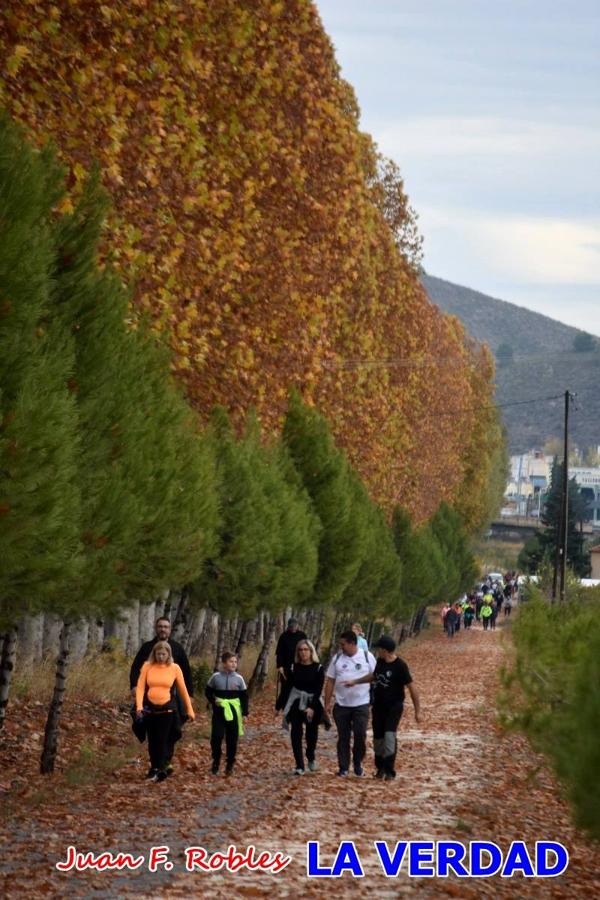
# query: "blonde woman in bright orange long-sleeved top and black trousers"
[[155, 703]]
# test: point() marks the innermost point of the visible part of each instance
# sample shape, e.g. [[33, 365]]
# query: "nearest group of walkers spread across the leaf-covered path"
[[308, 697]]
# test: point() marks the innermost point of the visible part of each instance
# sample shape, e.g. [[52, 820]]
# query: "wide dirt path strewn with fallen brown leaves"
[[459, 779]]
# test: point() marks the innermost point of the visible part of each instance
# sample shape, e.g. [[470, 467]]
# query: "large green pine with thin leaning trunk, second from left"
[[146, 480]]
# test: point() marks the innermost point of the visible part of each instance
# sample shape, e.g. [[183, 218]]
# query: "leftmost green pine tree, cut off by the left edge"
[[39, 452]]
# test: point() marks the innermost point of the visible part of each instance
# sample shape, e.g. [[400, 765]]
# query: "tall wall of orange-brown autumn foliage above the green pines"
[[258, 225]]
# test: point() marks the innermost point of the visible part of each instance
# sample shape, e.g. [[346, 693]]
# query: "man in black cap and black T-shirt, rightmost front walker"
[[390, 677]]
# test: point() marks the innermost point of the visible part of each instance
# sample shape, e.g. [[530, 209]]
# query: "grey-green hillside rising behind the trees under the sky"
[[544, 363]]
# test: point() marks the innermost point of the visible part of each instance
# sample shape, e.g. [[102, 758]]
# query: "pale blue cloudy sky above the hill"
[[491, 108]]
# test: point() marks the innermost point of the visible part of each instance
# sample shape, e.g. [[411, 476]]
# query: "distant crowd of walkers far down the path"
[[484, 604]]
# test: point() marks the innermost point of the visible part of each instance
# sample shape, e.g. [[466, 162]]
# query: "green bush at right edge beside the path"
[[552, 693]]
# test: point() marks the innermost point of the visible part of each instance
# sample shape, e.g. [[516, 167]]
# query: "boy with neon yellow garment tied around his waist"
[[228, 695]]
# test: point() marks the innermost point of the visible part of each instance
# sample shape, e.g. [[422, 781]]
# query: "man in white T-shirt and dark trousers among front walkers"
[[351, 710]]
